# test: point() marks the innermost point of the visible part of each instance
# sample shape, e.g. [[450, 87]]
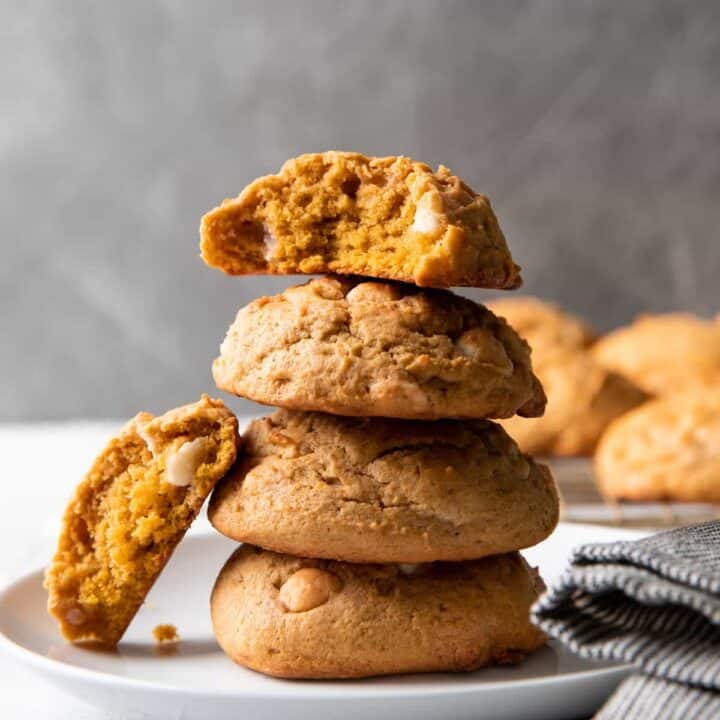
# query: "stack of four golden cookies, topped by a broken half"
[[381, 511]]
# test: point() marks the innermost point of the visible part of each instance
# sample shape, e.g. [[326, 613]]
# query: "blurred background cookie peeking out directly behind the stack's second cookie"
[[543, 324]]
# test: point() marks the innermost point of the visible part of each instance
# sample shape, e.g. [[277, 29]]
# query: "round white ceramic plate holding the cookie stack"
[[199, 681]]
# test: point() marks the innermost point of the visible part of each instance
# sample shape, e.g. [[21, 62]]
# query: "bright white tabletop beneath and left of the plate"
[[41, 464]]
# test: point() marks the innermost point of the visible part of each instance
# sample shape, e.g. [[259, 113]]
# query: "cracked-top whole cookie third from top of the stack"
[[378, 491]]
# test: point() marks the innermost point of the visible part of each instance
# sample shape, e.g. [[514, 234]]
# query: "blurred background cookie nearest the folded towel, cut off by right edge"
[[668, 449]]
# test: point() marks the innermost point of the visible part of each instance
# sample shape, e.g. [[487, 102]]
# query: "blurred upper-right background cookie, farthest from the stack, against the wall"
[[662, 353]]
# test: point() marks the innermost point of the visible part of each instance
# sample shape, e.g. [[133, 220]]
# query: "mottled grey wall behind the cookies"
[[593, 126]]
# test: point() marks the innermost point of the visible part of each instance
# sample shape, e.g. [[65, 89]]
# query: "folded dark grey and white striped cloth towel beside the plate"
[[654, 604]]
